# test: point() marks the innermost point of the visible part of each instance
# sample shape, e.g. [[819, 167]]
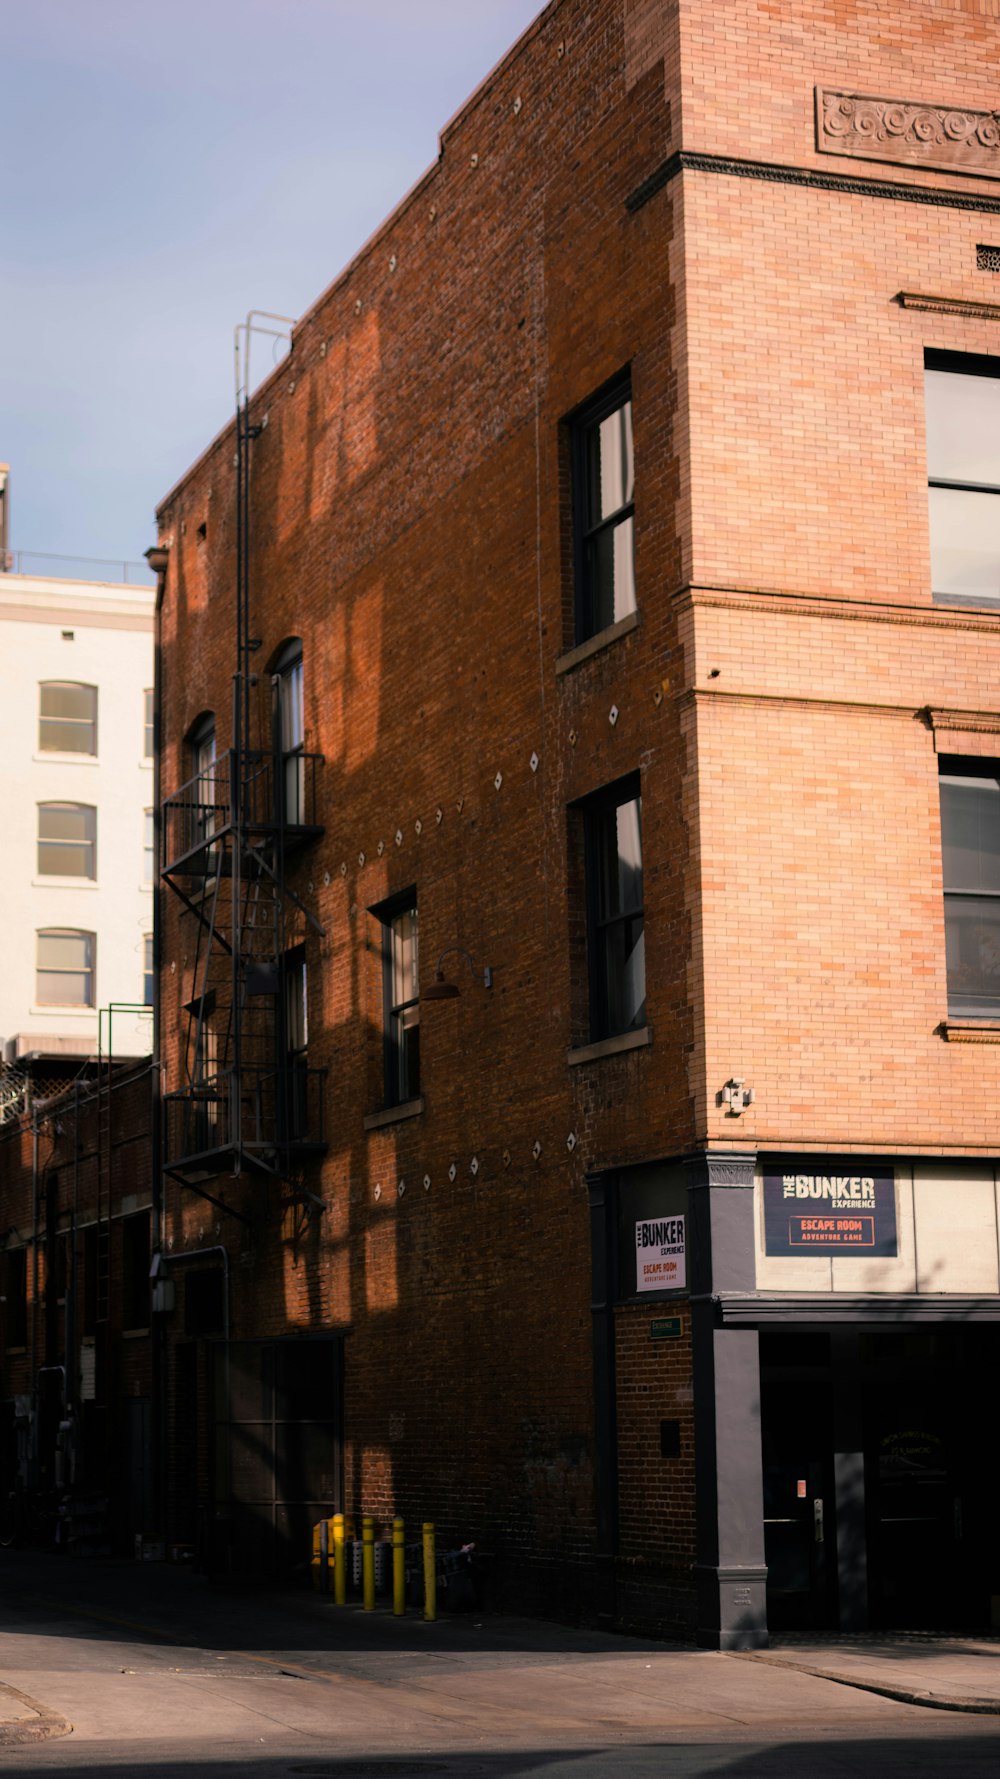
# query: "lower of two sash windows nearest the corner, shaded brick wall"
[[613, 835]]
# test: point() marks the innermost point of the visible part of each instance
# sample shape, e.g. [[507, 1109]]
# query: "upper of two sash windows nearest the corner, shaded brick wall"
[[604, 511]]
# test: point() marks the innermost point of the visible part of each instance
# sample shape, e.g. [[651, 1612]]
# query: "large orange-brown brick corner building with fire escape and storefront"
[[604, 654]]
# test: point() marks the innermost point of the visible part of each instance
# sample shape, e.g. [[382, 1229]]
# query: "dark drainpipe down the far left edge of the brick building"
[[157, 561]]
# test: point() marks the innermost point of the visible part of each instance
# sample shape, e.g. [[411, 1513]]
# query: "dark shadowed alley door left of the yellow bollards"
[[278, 1453]]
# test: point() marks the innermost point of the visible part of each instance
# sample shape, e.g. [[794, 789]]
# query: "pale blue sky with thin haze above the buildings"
[[168, 166]]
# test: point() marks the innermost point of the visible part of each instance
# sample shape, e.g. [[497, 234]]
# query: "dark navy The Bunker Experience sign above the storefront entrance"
[[830, 1214]]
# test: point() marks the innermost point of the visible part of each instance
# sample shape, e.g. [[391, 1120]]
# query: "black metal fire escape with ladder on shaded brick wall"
[[248, 1102]]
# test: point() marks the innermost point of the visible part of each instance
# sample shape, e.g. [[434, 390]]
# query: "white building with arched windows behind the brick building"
[[77, 817]]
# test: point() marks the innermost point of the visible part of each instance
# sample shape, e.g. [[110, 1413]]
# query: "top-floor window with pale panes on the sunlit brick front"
[[964, 472]]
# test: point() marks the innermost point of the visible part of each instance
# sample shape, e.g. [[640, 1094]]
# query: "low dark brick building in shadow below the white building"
[[79, 1374]]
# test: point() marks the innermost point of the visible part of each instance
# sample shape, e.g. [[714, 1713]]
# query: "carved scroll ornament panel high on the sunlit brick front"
[[926, 136]]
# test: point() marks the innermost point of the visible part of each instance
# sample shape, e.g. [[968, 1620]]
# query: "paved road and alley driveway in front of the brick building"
[[159, 1677]]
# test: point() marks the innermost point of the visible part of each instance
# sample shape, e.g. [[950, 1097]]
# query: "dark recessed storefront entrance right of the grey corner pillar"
[[880, 1476]]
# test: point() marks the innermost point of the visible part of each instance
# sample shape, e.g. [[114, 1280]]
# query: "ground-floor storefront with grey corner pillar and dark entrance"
[[846, 1442]]
